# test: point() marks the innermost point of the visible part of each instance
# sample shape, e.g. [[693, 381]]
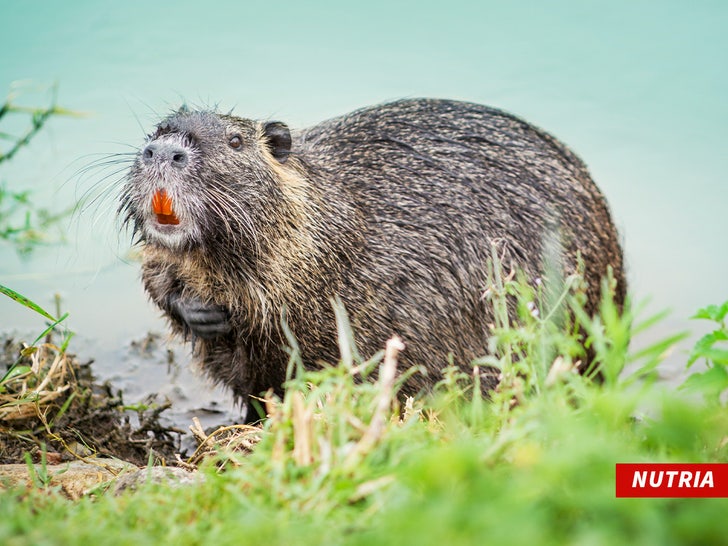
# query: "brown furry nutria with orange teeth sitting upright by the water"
[[392, 208]]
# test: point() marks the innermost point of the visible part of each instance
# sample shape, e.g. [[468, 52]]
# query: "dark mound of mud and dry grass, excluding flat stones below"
[[51, 406]]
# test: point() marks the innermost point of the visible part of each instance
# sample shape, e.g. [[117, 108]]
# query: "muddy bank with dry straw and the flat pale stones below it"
[[62, 428]]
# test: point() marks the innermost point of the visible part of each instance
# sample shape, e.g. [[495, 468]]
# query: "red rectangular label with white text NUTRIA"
[[672, 480]]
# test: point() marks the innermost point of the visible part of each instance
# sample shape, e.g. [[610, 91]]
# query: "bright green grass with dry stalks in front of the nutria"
[[341, 462]]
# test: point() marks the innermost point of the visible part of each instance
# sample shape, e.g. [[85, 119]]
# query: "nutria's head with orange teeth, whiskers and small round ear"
[[204, 178]]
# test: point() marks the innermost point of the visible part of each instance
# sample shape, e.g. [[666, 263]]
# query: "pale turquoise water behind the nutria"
[[638, 89]]
